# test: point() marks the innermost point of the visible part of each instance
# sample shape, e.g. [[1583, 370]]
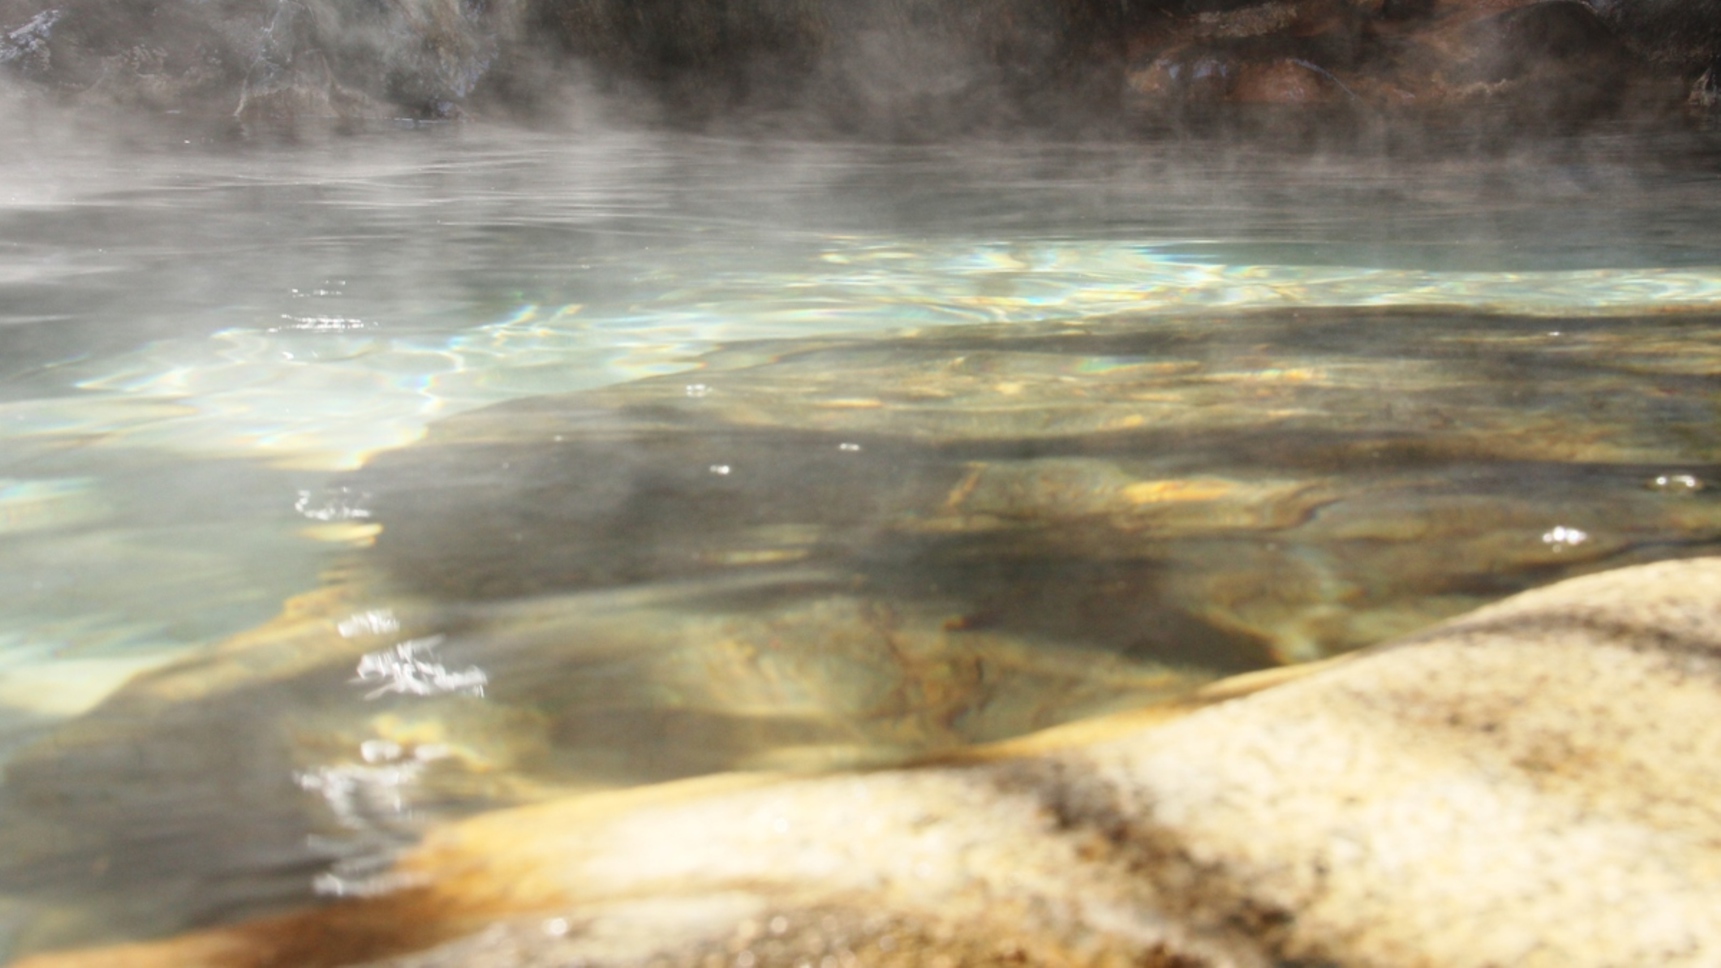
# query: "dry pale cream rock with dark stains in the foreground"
[[1531, 785]]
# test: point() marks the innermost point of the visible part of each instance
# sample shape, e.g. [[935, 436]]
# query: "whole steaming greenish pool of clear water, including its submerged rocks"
[[873, 450]]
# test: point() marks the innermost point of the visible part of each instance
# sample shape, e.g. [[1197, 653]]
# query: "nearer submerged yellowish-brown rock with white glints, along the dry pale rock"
[[302, 757]]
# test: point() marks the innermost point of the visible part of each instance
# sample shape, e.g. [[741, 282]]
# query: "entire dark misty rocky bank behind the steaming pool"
[[873, 66]]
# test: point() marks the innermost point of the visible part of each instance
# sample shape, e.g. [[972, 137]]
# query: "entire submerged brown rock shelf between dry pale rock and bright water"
[[853, 552]]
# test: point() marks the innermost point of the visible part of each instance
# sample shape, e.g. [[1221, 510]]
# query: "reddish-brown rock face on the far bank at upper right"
[[1541, 63]]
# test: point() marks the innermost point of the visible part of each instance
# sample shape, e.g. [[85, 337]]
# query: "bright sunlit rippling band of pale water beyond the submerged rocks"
[[328, 397]]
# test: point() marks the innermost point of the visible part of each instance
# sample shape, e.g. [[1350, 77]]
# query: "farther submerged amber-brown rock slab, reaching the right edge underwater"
[[1197, 490]]
